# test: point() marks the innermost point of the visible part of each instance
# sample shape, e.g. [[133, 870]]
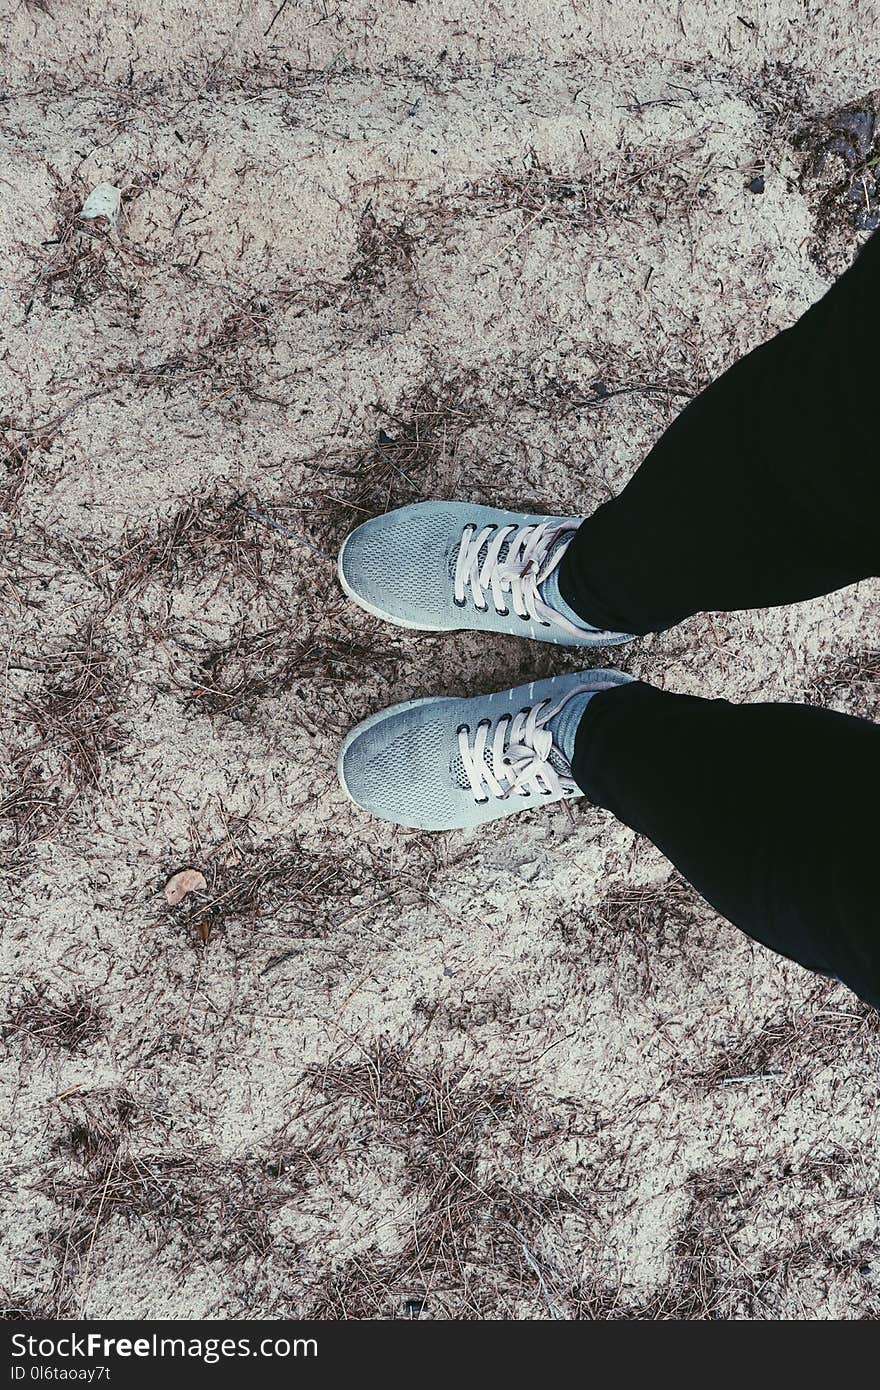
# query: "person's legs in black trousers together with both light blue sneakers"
[[767, 490]]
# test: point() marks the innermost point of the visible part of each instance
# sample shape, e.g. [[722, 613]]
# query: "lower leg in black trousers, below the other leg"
[[771, 811]]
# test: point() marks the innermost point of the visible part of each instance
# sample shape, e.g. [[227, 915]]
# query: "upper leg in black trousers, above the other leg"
[[764, 491]]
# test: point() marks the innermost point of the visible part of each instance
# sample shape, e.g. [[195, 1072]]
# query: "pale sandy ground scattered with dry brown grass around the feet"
[[372, 254]]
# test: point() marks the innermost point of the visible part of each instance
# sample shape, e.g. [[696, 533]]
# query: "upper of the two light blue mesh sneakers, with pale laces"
[[444, 566]]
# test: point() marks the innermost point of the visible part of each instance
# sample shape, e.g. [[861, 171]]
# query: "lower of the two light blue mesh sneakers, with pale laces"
[[447, 764]]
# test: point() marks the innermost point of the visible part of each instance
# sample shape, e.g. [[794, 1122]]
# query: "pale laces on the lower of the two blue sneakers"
[[519, 754]]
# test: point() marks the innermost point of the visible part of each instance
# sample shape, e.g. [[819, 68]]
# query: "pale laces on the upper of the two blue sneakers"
[[525, 569]]
